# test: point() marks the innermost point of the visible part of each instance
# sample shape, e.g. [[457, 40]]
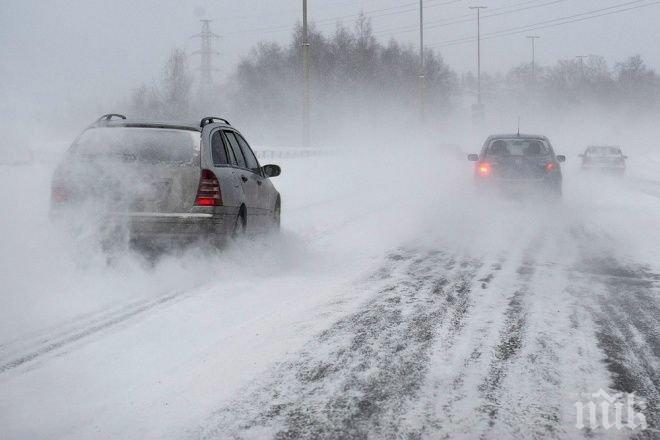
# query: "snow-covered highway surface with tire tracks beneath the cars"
[[377, 312]]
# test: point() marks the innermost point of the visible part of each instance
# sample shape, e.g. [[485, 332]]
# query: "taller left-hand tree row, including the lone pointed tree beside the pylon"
[[353, 74]]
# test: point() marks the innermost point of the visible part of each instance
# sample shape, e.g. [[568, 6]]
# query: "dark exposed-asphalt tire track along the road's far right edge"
[[626, 310]]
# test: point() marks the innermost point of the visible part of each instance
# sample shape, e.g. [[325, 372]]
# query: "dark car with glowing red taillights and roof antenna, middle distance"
[[517, 163]]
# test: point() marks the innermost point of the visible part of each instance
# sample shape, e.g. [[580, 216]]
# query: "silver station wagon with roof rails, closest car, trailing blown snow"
[[166, 183]]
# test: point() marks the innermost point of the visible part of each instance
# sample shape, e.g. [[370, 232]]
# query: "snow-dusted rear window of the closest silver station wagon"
[[142, 144]]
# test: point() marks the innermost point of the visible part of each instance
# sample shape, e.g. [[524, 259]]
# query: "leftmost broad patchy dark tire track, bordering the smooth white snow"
[[356, 377]]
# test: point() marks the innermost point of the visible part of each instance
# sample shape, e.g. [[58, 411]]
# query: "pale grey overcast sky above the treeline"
[[57, 51]]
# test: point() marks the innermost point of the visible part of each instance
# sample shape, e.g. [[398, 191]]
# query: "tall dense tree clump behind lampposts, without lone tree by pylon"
[[355, 80]]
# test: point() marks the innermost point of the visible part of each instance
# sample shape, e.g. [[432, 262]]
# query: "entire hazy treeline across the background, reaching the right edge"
[[358, 80]]
